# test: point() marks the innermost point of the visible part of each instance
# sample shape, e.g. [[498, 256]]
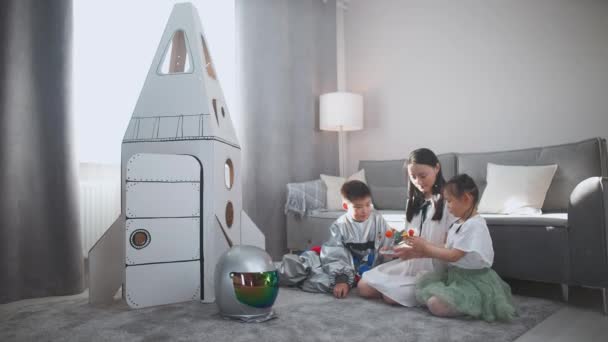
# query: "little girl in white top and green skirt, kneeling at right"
[[469, 286]]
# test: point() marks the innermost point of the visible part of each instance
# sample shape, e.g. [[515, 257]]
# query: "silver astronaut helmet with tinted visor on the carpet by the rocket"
[[246, 284]]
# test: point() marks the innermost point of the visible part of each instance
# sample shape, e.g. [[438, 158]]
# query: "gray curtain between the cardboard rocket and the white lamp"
[[286, 58]]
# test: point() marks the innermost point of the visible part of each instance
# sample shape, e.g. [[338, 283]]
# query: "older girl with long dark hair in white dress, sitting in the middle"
[[395, 280]]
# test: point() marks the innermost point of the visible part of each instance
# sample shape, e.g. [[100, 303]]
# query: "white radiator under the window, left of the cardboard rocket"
[[99, 201]]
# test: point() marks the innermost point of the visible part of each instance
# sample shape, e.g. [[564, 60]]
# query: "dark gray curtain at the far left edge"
[[40, 252]]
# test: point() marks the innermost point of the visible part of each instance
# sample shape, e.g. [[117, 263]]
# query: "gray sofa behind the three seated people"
[[567, 244]]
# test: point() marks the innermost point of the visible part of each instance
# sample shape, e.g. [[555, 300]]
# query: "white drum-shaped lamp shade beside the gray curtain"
[[341, 110]]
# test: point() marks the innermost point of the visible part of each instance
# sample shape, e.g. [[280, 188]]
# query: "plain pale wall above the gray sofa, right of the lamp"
[[472, 75]]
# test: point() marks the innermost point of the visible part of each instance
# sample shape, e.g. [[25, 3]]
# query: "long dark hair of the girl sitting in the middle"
[[424, 156]]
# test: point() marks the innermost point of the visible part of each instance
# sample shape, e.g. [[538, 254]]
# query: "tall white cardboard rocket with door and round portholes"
[[181, 181]]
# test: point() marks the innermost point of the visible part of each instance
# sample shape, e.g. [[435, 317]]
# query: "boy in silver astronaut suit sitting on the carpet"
[[353, 248]]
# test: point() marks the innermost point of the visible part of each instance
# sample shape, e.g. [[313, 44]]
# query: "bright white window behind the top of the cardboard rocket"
[[114, 44]]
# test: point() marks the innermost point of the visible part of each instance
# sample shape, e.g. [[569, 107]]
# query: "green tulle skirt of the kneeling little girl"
[[477, 293]]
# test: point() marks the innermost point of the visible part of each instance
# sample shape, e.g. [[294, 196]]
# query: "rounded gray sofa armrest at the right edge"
[[587, 232]]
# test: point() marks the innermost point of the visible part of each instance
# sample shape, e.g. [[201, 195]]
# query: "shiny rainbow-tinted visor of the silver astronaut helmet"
[[258, 289]]
